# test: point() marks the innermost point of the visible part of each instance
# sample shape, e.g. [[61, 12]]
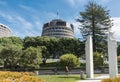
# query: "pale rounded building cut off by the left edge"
[[5, 31]]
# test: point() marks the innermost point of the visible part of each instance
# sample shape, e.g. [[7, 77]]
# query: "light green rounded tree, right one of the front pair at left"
[[31, 57]]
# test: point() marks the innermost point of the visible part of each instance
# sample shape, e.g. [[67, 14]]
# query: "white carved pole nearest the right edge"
[[112, 55]]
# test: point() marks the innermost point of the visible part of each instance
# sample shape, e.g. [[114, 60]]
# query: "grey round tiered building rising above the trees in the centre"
[[58, 28]]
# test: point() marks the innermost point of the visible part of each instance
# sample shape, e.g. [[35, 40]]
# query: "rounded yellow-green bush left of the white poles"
[[69, 60]]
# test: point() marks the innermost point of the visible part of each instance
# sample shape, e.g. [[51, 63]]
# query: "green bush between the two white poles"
[[98, 59]]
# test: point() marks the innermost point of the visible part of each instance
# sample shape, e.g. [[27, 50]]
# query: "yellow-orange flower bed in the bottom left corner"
[[18, 77]]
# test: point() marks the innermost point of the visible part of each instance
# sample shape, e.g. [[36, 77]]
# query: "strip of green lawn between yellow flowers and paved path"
[[60, 78]]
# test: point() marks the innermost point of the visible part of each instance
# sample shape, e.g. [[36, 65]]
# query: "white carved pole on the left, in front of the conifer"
[[89, 57]]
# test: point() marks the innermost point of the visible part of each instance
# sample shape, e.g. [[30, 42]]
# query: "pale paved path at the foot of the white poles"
[[96, 79]]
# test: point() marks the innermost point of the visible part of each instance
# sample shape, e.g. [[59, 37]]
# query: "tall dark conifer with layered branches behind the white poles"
[[96, 21]]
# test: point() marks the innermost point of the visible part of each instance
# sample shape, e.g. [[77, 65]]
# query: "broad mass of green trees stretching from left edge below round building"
[[23, 50]]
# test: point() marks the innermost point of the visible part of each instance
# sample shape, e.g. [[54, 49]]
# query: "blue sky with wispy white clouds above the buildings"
[[26, 17]]
